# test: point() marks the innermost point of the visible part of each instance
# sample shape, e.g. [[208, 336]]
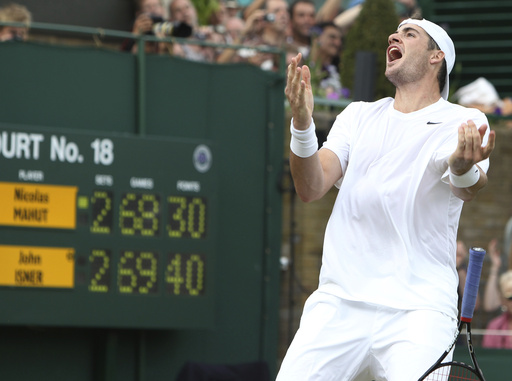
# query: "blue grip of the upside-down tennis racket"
[[476, 260]]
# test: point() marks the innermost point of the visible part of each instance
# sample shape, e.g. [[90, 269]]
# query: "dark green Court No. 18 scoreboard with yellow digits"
[[102, 230]]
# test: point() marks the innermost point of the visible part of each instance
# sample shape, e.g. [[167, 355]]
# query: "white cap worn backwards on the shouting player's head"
[[444, 42]]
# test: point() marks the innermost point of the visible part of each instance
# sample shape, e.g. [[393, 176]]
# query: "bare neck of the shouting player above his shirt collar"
[[413, 98]]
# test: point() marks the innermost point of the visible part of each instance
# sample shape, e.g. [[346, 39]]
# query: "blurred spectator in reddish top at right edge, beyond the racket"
[[493, 338]]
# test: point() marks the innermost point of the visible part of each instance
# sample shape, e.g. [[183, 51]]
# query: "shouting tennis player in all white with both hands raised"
[[386, 305]]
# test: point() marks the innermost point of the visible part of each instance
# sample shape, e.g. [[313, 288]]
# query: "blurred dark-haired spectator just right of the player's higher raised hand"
[[325, 60]]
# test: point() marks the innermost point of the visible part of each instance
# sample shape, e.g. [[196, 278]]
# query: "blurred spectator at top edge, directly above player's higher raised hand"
[[302, 20]]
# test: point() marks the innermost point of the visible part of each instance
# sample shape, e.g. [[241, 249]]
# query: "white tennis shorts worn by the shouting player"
[[340, 340]]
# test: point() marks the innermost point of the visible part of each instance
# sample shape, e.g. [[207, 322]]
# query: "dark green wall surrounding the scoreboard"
[[240, 109]]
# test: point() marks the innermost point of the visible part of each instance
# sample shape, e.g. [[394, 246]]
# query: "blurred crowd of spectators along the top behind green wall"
[[248, 25]]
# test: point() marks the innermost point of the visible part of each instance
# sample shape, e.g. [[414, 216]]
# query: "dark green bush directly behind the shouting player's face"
[[370, 31]]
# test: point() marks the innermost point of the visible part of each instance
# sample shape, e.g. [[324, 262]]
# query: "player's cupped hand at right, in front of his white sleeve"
[[469, 147]]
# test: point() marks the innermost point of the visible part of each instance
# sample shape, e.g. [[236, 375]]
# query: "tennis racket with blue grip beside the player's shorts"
[[453, 370]]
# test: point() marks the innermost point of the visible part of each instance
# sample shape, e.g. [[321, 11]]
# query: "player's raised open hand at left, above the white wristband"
[[299, 93]]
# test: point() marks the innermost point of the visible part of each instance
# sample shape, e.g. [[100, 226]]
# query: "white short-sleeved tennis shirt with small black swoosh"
[[391, 237]]
